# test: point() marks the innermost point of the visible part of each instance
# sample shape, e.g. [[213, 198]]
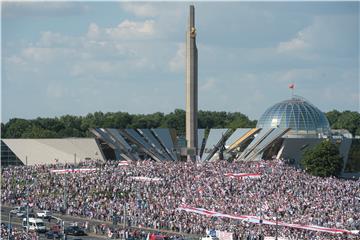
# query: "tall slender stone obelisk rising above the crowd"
[[191, 86]]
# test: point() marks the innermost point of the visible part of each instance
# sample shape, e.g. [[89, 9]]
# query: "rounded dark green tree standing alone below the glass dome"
[[323, 160]]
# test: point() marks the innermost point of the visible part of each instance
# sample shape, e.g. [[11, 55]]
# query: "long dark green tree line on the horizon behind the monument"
[[78, 126]]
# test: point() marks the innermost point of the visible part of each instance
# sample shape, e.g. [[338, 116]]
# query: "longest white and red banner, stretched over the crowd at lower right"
[[256, 220]]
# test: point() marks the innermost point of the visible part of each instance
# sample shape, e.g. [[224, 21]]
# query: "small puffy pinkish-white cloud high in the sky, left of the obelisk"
[[130, 29]]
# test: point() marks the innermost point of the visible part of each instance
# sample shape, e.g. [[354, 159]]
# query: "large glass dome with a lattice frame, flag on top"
[[296, 113]]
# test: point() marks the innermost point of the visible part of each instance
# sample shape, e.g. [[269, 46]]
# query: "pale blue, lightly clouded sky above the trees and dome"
[[76, 58]]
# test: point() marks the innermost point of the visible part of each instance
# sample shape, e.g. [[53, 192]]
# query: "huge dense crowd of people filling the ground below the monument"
[[126, 194]]
